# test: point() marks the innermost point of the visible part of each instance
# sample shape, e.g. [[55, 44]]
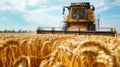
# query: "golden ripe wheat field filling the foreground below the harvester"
[[55, 50]]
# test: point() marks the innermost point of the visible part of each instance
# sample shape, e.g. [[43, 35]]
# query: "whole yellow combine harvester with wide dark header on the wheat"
[[79, 20]]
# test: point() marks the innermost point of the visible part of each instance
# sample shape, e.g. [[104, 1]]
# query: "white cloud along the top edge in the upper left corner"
[[19, 5]]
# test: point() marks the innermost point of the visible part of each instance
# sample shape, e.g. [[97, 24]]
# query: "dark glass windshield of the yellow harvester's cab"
[[78, 13]]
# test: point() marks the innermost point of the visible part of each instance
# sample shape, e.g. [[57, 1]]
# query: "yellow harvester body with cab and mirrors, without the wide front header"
[[80, 17]]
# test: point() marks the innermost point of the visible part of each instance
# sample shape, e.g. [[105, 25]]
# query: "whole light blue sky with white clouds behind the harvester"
[[30, 14]]
